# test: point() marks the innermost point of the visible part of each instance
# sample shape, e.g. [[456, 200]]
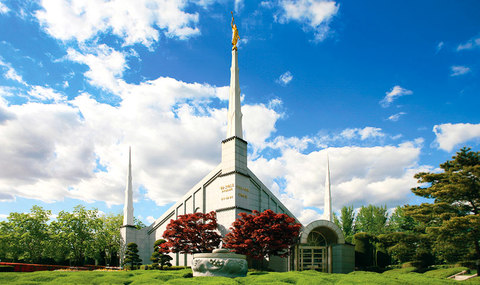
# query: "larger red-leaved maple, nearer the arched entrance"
[[265, 234]]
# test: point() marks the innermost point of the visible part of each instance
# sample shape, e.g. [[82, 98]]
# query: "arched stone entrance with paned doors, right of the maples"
[[315, 248]]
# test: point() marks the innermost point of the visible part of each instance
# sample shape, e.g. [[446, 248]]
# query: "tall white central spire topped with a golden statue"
[[234, 108]]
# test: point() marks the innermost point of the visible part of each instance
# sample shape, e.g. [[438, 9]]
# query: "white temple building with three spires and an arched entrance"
[[232, 188]]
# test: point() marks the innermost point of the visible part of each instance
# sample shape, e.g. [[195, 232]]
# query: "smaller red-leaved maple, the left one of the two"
[[191, 233]]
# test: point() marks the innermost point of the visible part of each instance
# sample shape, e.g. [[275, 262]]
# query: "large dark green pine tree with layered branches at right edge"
[[454, 217]]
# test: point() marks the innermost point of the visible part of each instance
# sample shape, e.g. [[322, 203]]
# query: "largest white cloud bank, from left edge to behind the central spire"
[[50, 151]]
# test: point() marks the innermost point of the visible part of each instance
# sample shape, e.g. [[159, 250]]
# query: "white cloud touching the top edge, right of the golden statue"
[[314, 14]]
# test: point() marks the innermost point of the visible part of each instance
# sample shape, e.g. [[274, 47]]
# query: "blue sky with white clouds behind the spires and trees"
[[389, 88]]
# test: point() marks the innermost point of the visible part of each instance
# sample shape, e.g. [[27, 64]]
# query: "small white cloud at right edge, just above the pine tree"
[[450, 136]]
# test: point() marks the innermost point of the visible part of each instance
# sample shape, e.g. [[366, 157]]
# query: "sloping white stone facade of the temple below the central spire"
[[227, 195]]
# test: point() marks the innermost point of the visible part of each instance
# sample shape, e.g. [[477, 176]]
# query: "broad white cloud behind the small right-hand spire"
[[359, 176]]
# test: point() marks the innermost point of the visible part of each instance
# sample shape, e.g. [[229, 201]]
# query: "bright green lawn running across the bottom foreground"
[[181, 277]]
